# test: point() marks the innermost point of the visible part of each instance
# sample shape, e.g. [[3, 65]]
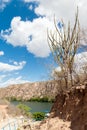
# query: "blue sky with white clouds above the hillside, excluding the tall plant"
[[24, 52]]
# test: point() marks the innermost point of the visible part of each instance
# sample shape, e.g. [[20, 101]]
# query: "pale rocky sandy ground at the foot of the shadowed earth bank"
[[48, 124]]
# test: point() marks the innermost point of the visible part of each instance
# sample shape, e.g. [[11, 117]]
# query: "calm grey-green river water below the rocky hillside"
[[37, 106]]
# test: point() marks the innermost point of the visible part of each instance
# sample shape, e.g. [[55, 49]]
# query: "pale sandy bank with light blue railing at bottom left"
[[8, 121]]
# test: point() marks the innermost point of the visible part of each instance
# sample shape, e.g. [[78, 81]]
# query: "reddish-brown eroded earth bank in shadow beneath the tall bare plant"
[[72, 106]]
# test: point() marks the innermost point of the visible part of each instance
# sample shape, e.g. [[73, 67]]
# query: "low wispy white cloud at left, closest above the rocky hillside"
[[12, 81]]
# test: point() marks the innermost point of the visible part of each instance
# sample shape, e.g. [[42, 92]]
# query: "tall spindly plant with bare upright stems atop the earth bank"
[[63, 44]]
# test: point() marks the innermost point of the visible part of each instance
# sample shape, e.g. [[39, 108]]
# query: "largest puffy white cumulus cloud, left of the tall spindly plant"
[[33, 35]]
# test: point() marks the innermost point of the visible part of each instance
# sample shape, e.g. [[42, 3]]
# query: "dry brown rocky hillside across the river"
[[30, 90]]
